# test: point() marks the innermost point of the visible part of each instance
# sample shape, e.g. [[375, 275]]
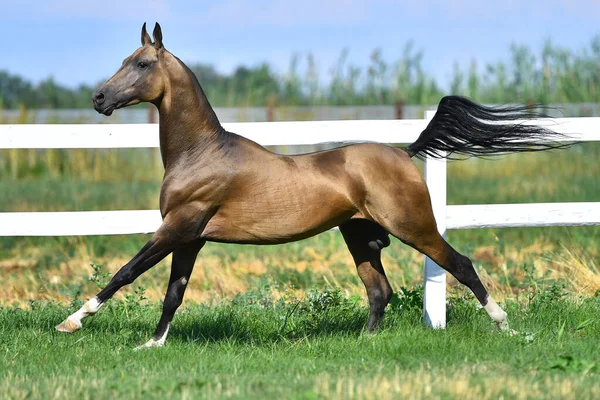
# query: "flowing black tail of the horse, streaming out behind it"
[[462, 128]]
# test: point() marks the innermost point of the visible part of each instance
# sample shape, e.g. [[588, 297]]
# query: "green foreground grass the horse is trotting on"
[[255, 346]]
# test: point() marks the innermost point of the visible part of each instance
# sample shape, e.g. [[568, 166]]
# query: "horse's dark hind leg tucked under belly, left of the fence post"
[[365, 240]]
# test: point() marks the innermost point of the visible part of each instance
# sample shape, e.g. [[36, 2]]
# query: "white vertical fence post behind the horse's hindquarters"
[[434, 299]]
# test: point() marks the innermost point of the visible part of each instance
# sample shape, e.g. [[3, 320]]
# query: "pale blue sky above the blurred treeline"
[[79, 41]]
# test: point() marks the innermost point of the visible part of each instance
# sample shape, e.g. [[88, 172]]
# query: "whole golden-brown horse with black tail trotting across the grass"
[[221, 187]]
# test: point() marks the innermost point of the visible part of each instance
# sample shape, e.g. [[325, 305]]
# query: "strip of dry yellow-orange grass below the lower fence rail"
[[217, 277]]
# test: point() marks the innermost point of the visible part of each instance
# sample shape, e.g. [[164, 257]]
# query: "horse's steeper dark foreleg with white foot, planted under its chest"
[[181, 270]]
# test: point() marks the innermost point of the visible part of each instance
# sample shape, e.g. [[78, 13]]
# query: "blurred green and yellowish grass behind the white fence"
[[55, 268]]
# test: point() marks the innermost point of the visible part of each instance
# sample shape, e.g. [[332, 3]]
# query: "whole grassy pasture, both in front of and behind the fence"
[[288, 320]]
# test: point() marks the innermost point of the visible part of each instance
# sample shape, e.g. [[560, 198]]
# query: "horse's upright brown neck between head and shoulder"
[[188, 123]]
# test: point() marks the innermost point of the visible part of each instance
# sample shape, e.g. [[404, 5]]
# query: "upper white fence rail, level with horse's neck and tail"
[[108, 136]]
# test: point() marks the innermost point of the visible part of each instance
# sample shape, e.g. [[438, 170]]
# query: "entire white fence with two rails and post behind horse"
[[292, 133]]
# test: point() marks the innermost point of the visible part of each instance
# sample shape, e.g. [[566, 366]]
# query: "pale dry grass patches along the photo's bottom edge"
[[464, 383]]
